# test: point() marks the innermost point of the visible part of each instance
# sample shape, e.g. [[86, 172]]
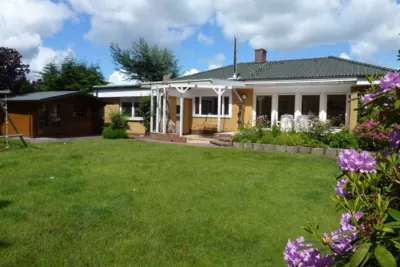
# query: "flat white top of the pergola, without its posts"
[[196, 83]]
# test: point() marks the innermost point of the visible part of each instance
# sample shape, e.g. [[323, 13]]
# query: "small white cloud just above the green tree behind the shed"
[[44, 56]]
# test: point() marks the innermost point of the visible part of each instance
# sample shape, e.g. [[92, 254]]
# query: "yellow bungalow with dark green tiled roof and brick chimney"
[[221, 99]]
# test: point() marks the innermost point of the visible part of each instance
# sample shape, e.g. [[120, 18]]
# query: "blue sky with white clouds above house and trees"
[[200, 32]]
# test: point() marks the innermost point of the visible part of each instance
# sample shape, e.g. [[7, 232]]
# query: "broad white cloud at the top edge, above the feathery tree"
[[161, 22]]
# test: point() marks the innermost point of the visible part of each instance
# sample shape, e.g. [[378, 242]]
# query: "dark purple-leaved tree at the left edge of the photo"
[[12, 71]]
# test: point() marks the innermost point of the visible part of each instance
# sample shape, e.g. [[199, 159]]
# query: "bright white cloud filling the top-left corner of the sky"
[[23, 23]]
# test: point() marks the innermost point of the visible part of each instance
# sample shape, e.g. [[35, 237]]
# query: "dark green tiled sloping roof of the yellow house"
[[310, 68]]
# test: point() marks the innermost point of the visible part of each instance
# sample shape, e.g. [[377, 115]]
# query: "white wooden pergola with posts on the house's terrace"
[[159, 89]]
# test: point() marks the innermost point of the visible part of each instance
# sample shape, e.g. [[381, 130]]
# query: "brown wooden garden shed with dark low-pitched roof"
[[54, 114]]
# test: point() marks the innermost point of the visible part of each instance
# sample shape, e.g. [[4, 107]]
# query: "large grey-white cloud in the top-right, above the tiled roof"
[[369, 26]]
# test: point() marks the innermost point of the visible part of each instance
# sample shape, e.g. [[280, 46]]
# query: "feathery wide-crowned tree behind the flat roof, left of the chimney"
[[144, 62]]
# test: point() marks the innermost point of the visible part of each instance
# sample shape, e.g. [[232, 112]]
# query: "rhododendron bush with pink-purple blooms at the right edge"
[[367, 193]]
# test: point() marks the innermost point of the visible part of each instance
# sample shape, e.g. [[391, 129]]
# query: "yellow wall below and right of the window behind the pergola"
[[231, 124]]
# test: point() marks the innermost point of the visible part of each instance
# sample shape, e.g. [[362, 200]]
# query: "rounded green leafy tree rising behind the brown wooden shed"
[[71, 74]]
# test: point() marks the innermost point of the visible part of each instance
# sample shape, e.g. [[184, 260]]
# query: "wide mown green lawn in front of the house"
[[130, 203]]
